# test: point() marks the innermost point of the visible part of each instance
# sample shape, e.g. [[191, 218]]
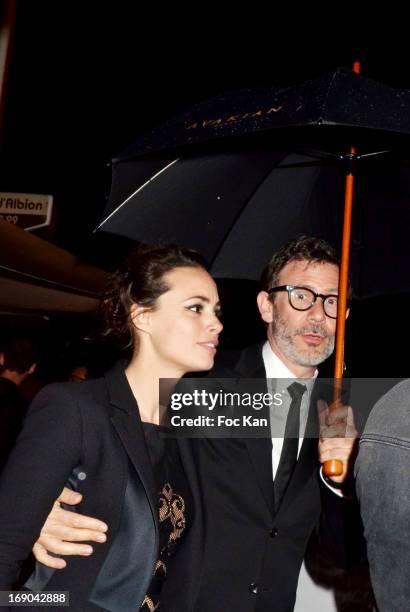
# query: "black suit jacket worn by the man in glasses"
[[253, 554]]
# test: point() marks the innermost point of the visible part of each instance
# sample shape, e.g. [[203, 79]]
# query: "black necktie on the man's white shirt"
[[289, 454]]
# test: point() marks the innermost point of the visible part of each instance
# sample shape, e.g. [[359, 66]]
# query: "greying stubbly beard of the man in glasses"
[[285, 340]]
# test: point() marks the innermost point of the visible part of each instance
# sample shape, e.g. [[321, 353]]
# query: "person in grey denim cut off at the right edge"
[[383, 487]]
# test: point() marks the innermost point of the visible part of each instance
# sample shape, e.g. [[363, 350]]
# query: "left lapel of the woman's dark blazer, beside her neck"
[[126, 420]]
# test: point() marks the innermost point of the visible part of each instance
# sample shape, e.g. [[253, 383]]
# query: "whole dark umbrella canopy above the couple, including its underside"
[[220, 179]]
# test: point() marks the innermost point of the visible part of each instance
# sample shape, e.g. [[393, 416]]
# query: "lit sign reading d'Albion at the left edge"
[[27, 210]]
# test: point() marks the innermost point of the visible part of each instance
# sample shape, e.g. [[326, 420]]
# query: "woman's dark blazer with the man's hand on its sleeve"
[[90, 433]]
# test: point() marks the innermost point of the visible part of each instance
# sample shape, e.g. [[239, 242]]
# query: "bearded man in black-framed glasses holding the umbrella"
[[257, 531]]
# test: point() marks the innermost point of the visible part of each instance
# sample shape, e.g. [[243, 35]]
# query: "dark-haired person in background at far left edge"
[[17, 362]]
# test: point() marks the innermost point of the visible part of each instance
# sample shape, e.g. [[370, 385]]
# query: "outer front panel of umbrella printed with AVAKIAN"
[[341, 99]]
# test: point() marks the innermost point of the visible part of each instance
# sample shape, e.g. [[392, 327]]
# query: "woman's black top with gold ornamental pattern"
[[174, 506]]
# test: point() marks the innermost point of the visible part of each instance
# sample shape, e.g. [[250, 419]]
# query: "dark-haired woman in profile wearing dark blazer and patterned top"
[[102, 436]]
